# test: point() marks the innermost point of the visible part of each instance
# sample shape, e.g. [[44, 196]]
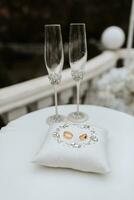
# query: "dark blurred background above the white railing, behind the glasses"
[[22, 31]]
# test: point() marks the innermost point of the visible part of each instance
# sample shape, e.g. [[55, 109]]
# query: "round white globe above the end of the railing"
[[113, 37]]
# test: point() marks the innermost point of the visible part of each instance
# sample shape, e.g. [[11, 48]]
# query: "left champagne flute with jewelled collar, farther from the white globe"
[[54, 59]]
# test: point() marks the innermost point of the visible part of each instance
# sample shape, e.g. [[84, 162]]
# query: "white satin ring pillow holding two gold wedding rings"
[[78, 146]]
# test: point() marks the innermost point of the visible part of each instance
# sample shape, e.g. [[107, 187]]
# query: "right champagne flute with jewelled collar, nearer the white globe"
[[77, 59]]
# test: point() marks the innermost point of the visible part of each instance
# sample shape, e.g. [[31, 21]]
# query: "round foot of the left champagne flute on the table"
[[55, 119]]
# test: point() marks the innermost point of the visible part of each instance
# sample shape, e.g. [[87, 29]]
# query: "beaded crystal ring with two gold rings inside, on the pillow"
[[76, 135]]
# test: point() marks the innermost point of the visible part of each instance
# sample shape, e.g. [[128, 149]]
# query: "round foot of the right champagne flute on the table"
[[77, 117]]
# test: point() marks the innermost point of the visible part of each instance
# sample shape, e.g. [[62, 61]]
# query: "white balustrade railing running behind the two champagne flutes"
[[19, 99]]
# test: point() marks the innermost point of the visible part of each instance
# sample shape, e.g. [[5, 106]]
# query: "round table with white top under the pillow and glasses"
[[20, 179]]
